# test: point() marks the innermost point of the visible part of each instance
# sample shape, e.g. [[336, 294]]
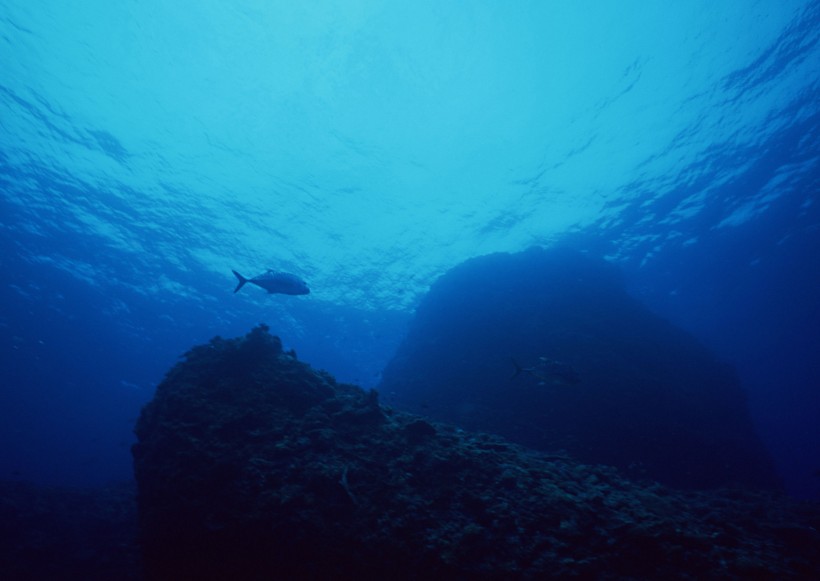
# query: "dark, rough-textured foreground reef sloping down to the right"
[[252, 465]]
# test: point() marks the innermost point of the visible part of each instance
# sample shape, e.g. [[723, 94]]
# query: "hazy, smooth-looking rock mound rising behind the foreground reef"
[[648, 399]]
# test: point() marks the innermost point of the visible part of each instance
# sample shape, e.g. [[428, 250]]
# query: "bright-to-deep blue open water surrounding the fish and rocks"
[[147, 148]]
